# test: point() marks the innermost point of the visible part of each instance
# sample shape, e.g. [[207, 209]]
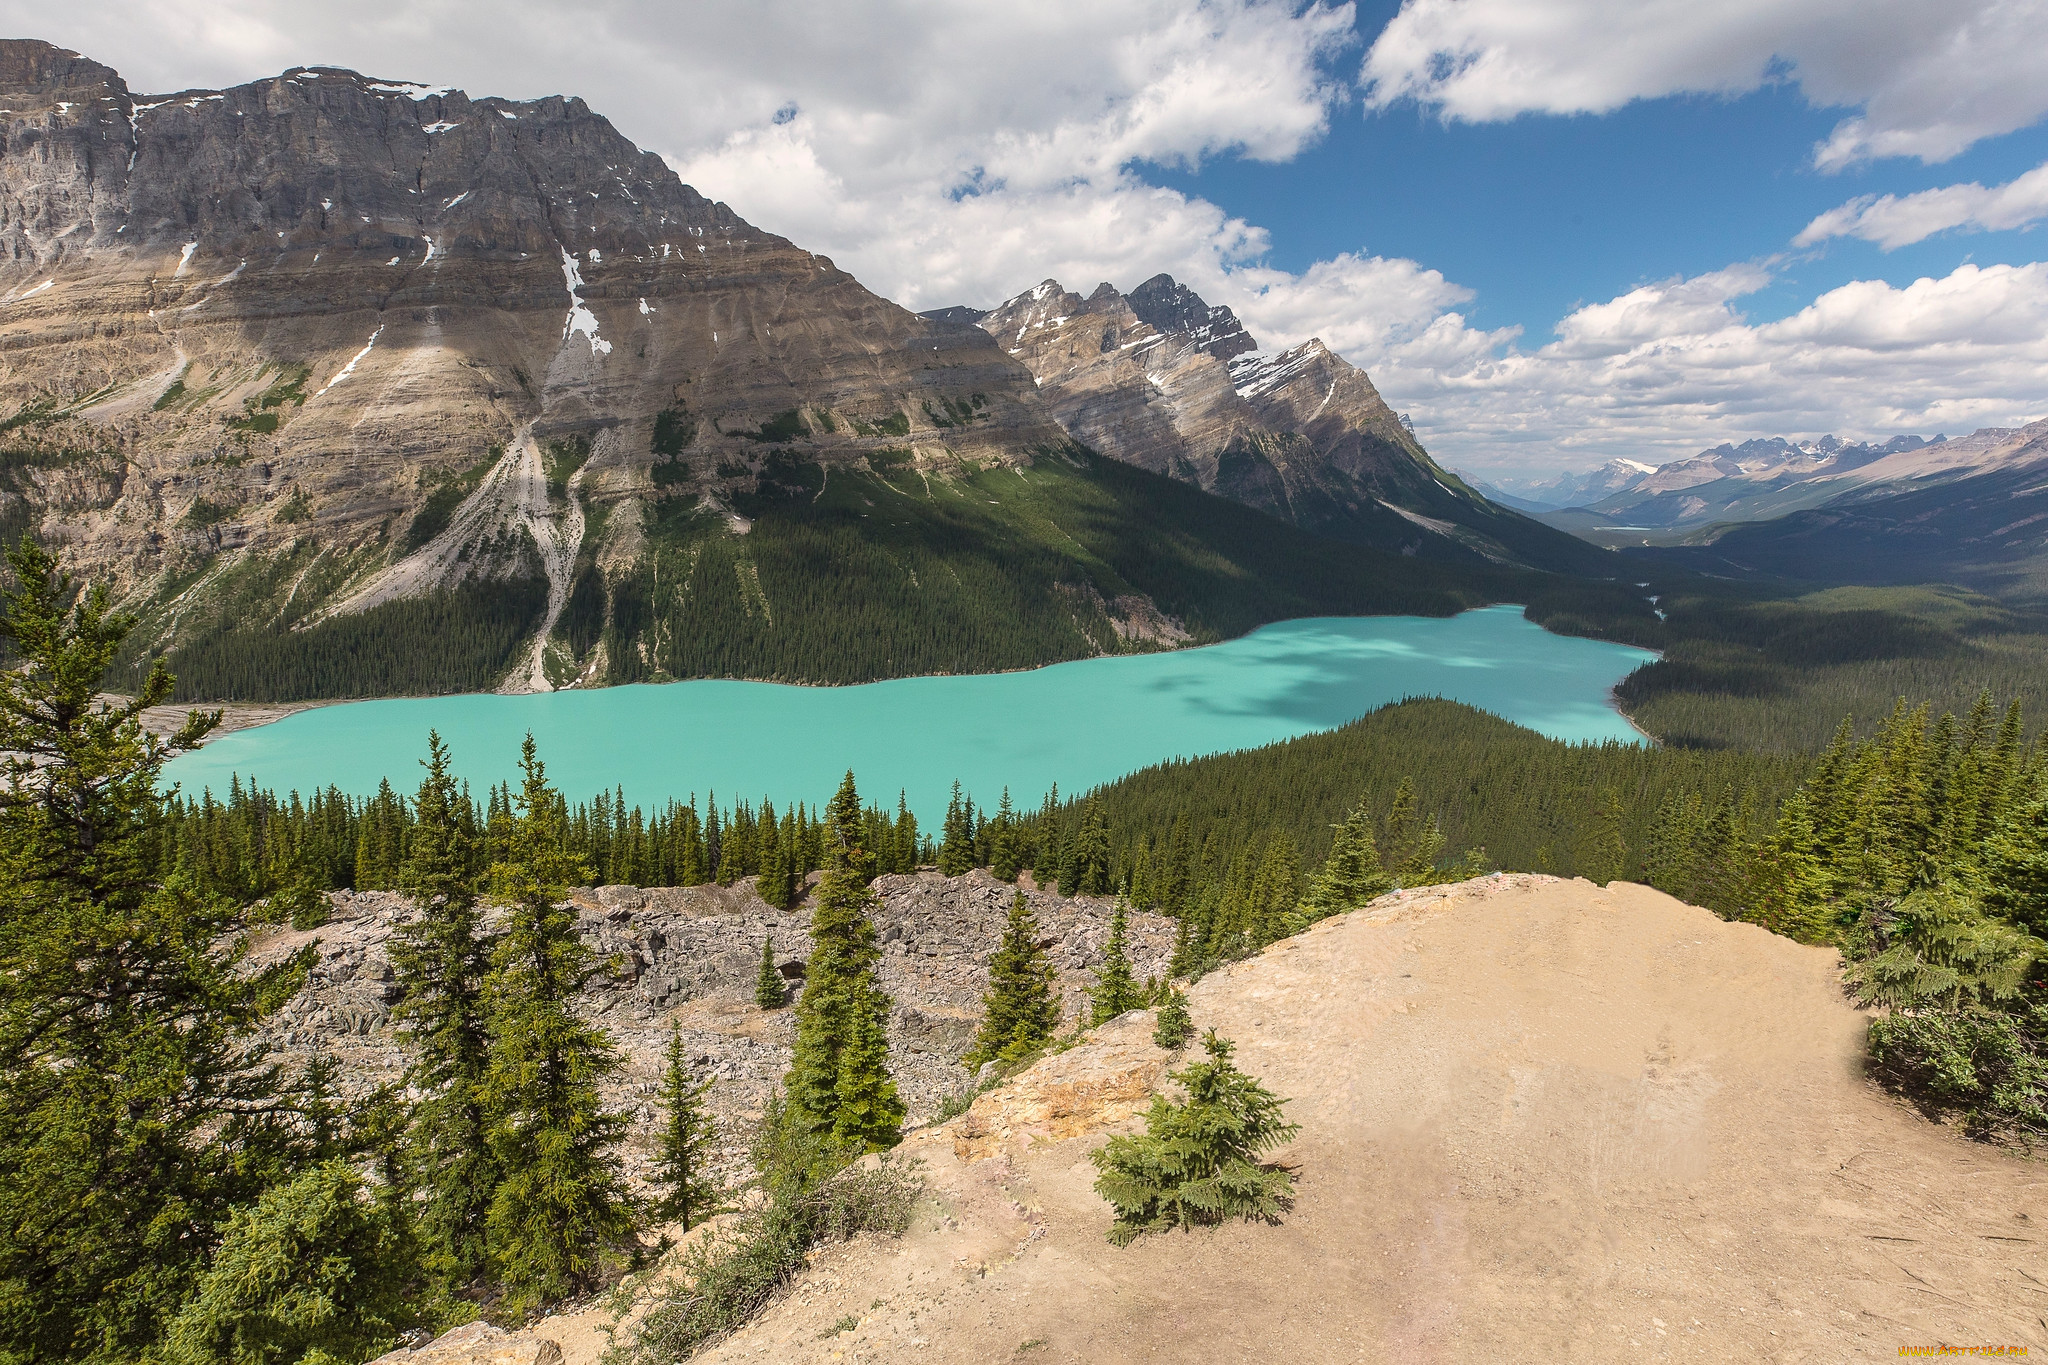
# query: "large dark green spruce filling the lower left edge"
[[136, 1104]]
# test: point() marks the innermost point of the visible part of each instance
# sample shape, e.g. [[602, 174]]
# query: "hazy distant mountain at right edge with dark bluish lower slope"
[[1971, 511]]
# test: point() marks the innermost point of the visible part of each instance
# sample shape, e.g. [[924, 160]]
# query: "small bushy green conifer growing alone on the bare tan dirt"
[[1199, 1161]]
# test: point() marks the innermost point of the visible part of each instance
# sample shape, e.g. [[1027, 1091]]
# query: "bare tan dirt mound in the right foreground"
[[1541, 1122]]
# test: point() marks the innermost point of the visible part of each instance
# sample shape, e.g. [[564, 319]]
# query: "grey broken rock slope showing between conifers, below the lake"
[[689, 957]]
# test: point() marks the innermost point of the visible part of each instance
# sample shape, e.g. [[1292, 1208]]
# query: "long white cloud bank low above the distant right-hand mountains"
[[1674, 367]]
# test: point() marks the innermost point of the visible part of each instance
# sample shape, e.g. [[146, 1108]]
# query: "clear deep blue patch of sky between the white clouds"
[[1545, 214]]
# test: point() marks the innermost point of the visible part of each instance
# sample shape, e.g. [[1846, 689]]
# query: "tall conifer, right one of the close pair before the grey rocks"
[[562, 1198]]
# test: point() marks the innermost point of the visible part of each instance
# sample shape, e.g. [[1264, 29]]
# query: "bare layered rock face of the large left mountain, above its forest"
[[325, 343]]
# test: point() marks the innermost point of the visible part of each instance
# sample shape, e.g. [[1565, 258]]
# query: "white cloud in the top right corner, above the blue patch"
[[1930, 79]]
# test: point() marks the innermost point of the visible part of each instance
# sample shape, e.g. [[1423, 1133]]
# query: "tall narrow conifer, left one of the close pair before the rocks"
[[443, 963]]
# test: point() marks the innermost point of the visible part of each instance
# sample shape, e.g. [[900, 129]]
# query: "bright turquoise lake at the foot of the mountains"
[[1070, 723]]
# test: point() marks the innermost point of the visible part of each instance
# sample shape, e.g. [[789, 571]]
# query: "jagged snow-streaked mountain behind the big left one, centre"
[[1175, 386]]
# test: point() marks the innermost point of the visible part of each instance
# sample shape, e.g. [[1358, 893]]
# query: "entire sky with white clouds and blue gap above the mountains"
[[1555, 232]]
